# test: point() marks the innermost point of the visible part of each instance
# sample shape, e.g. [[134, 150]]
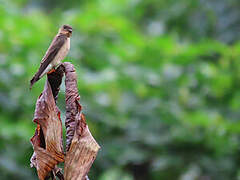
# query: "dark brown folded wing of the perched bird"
[[52, 51]]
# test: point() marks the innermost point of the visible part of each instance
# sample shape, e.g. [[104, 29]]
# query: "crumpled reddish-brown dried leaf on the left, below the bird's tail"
[[47, 116]]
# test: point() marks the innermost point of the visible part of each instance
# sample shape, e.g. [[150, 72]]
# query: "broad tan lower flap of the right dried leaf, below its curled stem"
[[82, 152]]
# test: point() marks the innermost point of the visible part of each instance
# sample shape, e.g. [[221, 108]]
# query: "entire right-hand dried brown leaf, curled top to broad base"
[[81, 146]]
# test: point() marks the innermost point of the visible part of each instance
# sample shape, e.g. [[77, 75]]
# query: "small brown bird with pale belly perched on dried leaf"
[[56, 52]]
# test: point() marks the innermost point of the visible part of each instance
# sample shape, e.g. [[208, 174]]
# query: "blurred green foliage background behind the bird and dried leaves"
[[159, 83]]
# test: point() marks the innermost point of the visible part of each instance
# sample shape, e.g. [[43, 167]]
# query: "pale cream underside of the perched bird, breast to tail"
[[58, 58]]
